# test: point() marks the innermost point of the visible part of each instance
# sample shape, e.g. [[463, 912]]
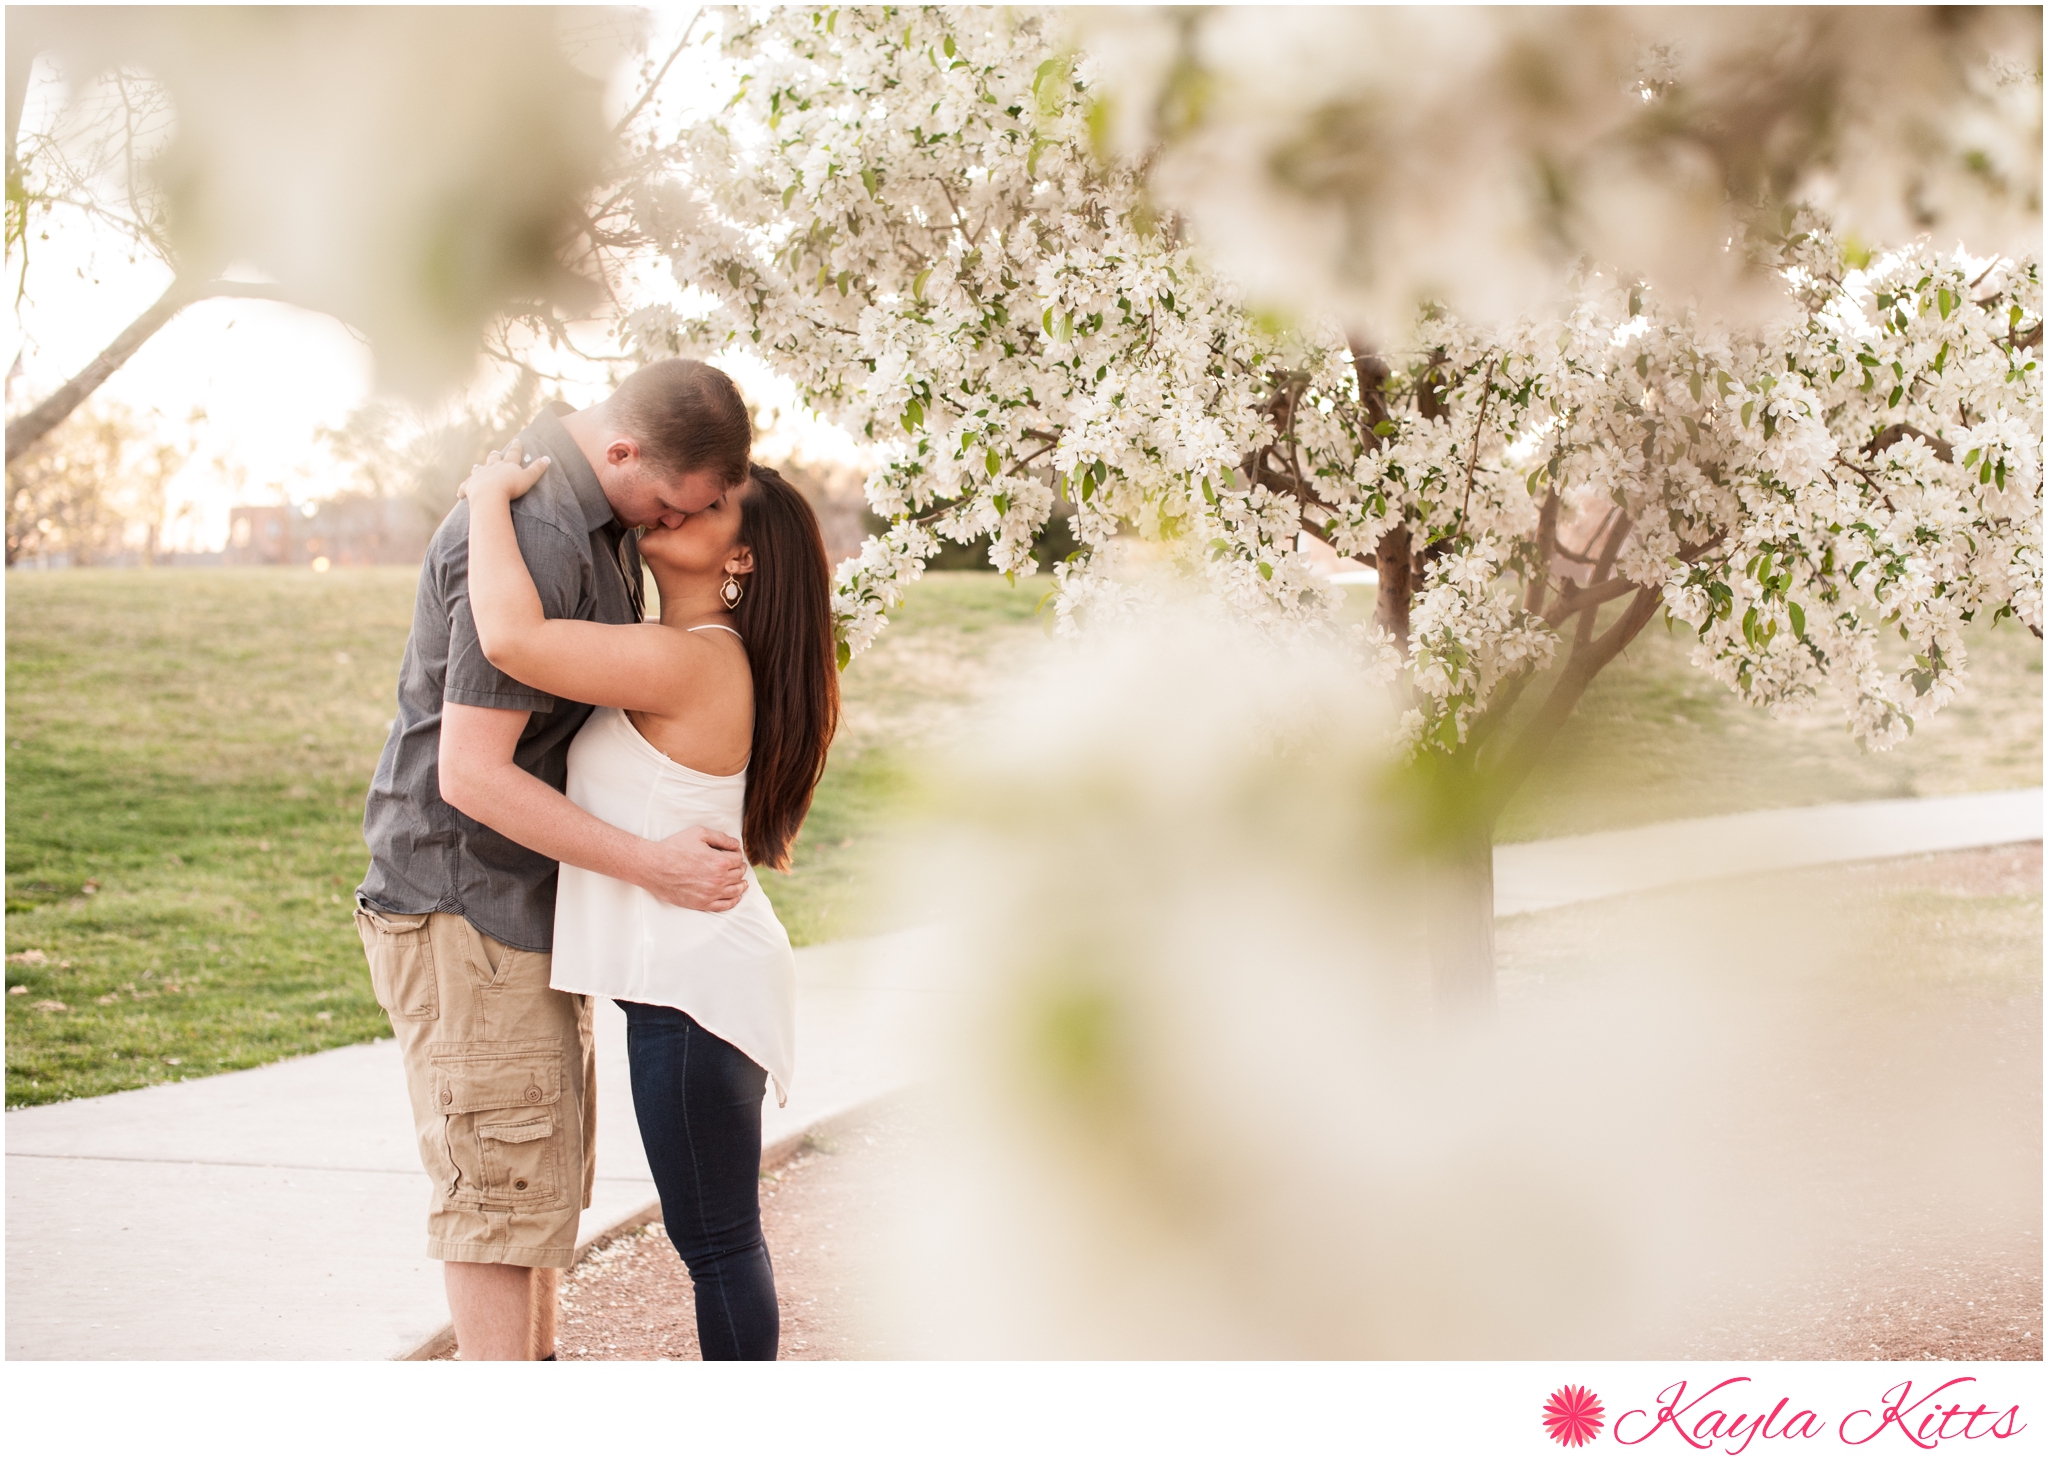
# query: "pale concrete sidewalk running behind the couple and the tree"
[[275, 1213]]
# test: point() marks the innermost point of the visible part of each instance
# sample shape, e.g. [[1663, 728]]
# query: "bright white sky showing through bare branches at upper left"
[[267, 376]]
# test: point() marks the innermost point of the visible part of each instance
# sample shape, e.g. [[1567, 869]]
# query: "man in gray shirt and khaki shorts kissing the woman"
[[468, 822]]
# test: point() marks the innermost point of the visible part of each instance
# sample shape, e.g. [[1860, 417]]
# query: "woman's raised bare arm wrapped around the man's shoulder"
[[646, 669]]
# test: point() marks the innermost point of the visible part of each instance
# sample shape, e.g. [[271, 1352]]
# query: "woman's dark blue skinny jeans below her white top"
[[699, 1105]]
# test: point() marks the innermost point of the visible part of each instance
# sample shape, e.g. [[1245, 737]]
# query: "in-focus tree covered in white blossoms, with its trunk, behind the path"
[[908, 212]]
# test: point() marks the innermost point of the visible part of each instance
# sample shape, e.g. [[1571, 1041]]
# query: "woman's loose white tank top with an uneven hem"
[[732, 972]]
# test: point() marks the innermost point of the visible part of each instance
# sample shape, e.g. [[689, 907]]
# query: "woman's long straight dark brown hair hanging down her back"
[[785, 617]]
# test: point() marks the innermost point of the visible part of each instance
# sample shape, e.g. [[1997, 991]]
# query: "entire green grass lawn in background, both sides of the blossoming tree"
[[187, 757]]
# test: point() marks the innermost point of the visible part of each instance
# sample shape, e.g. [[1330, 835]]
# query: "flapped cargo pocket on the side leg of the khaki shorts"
[[499, 1119]]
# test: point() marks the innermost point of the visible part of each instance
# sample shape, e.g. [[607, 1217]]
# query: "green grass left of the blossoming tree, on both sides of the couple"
[[187, 759]]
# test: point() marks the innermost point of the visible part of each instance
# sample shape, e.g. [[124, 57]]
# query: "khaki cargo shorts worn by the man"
[[503, 1080]]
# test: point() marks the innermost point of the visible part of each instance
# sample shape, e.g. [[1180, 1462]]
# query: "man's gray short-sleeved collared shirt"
[[425, 855]]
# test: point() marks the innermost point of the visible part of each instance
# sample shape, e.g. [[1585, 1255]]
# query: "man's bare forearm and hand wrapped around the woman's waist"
[[699, 869]]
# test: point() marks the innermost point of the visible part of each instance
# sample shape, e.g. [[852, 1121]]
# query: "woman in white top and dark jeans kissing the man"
[[718, 716]]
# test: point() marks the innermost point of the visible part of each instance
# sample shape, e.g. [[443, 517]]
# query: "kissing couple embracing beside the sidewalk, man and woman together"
[[568, 808]]
